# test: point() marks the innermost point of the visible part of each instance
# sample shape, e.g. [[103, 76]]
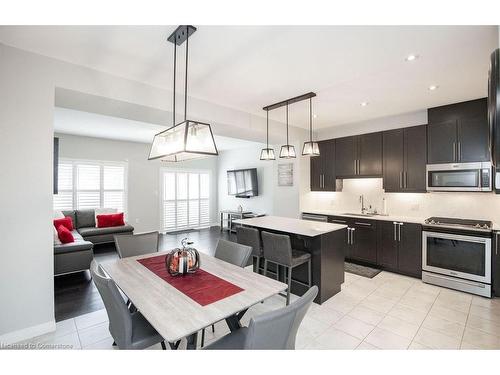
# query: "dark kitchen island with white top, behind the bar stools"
[[324, 241]]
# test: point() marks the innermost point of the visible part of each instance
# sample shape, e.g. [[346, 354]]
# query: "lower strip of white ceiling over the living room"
[[68, 121]]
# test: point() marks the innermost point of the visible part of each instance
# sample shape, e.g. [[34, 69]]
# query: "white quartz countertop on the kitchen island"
[[296, 226]]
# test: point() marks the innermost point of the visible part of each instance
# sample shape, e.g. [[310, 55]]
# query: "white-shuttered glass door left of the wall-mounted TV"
[[185, 200]]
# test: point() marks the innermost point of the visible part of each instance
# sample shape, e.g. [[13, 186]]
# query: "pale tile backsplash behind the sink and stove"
[[465, 205]]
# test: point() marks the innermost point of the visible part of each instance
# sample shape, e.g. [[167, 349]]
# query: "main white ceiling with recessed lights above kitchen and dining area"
[[247, 67]]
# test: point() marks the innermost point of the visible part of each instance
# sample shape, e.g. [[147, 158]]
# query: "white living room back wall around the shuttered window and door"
[[143, 198]]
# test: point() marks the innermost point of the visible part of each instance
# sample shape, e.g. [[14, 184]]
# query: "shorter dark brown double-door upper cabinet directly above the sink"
[[359, 156]]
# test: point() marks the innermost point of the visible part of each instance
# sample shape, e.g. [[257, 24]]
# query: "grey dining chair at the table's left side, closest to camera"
[[129, 330]]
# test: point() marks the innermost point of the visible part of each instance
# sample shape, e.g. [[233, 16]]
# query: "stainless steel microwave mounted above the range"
[[459, 177]]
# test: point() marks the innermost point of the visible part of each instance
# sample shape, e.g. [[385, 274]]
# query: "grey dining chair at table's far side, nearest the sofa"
[[129, 245]]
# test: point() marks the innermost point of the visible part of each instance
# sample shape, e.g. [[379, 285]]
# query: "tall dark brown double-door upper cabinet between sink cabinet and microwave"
[[404, 159]]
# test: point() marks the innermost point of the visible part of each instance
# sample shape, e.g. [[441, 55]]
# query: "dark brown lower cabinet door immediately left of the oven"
[[410, 249]]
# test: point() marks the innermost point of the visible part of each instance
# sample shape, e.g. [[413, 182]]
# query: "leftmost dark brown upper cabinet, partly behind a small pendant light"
[[323, 167]]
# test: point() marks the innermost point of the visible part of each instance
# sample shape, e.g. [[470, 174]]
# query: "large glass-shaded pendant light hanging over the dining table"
[[188, 139]]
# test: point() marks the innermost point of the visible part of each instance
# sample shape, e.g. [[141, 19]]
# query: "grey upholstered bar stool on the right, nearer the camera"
[[278, 250]]
